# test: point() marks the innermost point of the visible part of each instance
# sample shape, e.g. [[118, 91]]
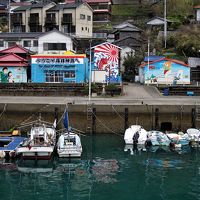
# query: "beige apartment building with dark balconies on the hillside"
[[74, 19]]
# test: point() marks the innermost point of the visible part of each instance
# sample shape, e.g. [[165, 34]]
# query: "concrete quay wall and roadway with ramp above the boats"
[[142, 104]]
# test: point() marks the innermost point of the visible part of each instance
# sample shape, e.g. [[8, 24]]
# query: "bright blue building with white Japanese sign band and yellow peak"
[[67, 68]]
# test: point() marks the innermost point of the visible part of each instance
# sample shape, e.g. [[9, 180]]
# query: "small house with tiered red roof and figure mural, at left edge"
[[13, 68]]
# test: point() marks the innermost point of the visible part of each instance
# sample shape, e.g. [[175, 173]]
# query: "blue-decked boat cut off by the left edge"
[[9, 142]]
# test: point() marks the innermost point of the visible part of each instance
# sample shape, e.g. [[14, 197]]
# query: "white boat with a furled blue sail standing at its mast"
[[69, 143]]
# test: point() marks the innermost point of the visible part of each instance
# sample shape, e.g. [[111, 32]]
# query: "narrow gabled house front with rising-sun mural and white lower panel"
[[106, 63]]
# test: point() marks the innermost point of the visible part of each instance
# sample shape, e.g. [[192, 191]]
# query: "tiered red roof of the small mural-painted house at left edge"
[[12, 59]]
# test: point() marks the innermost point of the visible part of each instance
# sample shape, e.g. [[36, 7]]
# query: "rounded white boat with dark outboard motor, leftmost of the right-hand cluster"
[[135, 133]]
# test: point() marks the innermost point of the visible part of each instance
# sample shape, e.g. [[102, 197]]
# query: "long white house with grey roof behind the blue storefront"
[[50, 42]]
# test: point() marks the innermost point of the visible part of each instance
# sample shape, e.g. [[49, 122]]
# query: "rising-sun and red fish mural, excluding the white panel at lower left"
[[106, 58]]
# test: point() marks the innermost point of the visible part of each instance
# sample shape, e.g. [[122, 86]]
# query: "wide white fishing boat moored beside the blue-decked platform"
[[40, 143]]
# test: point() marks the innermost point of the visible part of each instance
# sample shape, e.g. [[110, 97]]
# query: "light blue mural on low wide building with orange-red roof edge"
[[167, 72]]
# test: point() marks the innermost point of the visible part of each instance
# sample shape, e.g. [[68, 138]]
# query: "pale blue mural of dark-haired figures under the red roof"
[[13, 74]]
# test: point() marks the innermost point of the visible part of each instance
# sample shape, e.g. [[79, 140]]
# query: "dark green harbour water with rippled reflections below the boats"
[[107, 170]]
